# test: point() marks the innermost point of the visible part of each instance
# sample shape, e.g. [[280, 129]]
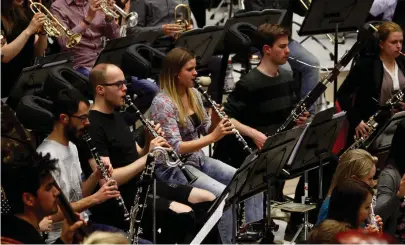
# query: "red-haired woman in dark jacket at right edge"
[[373, 81]]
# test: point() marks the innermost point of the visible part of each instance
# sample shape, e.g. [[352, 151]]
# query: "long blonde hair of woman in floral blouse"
[[172, 65]]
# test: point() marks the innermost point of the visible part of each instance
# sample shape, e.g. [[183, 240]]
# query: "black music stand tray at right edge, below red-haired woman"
[[382, 140]]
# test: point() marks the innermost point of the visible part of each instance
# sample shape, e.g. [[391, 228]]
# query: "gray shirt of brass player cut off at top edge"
[[152, 14]]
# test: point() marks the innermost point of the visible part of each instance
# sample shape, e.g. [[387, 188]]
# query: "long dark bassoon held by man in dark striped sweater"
[[321, 87]]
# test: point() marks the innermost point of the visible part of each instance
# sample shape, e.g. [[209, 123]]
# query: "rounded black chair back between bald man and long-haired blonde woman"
[[142, 61]]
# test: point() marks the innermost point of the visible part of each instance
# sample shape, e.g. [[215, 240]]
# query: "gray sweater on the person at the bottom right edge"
[[388, 203]]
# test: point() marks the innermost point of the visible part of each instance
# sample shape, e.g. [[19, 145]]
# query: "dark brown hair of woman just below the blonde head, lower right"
[[346, 200]]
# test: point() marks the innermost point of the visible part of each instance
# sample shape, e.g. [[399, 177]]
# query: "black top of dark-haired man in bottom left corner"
[[19, 230]]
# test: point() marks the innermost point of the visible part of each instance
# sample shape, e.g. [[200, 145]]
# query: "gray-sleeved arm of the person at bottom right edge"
[[387, 199]]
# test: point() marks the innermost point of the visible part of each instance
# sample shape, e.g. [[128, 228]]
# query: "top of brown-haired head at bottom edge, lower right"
[[325, 232]]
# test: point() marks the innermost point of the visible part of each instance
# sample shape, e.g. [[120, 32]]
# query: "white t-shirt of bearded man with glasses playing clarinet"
[[68, 177]]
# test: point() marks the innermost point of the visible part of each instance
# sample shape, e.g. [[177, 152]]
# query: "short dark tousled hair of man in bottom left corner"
[[24, 176]]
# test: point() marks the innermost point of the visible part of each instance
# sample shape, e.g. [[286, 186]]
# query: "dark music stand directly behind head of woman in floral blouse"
[[202, 42]]
